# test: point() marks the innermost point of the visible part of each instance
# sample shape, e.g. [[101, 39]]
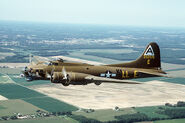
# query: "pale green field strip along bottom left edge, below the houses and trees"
[[44, 120]]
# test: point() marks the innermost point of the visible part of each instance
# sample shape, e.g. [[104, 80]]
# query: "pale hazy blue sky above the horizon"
[[114, 12]]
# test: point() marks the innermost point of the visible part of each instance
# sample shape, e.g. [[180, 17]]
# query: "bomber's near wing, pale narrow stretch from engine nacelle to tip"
[[110, 80]]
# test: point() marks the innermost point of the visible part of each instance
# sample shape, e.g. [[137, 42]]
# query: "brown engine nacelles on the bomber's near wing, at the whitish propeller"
[[58, 77]]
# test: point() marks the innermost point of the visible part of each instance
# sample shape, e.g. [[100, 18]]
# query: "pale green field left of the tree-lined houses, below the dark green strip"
[[9, 107]]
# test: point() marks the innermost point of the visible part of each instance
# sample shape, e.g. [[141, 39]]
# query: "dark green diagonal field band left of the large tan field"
[[14, 91]]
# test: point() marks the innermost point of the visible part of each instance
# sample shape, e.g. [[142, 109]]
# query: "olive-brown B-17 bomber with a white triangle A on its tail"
[[66, 73]]
